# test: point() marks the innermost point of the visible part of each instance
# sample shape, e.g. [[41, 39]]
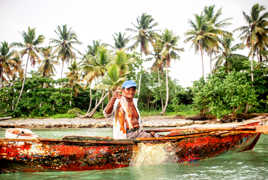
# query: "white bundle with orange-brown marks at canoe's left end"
[[20, 133]]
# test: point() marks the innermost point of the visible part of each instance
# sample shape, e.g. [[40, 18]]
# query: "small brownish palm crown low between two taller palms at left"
[[47, 67]]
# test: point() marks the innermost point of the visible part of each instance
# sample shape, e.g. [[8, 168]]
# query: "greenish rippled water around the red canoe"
[[245, 165]]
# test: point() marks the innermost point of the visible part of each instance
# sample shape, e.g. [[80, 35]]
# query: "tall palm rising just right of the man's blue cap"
[[144, 32]]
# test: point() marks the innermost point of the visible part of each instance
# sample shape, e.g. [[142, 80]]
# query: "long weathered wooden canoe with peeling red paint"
[[95, 153]]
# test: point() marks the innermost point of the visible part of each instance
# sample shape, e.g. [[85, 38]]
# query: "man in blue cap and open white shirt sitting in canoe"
[[127, 123]]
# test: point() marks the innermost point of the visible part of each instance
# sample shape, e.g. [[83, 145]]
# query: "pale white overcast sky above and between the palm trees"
[[100, 19]]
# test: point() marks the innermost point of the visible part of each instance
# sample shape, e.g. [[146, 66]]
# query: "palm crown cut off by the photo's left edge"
[[8, 62]]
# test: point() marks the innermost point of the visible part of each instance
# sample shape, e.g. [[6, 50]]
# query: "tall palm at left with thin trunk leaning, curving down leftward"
[[30, 47]]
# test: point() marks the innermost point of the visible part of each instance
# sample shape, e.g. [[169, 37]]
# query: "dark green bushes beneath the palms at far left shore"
[[38, 101]]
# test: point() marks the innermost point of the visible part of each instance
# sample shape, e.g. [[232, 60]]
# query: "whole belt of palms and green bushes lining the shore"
[[236, 84]]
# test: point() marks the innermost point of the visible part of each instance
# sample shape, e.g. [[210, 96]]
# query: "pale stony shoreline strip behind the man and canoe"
[[148, 122]]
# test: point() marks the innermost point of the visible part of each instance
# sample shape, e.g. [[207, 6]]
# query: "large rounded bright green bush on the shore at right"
[[225, 94]]
